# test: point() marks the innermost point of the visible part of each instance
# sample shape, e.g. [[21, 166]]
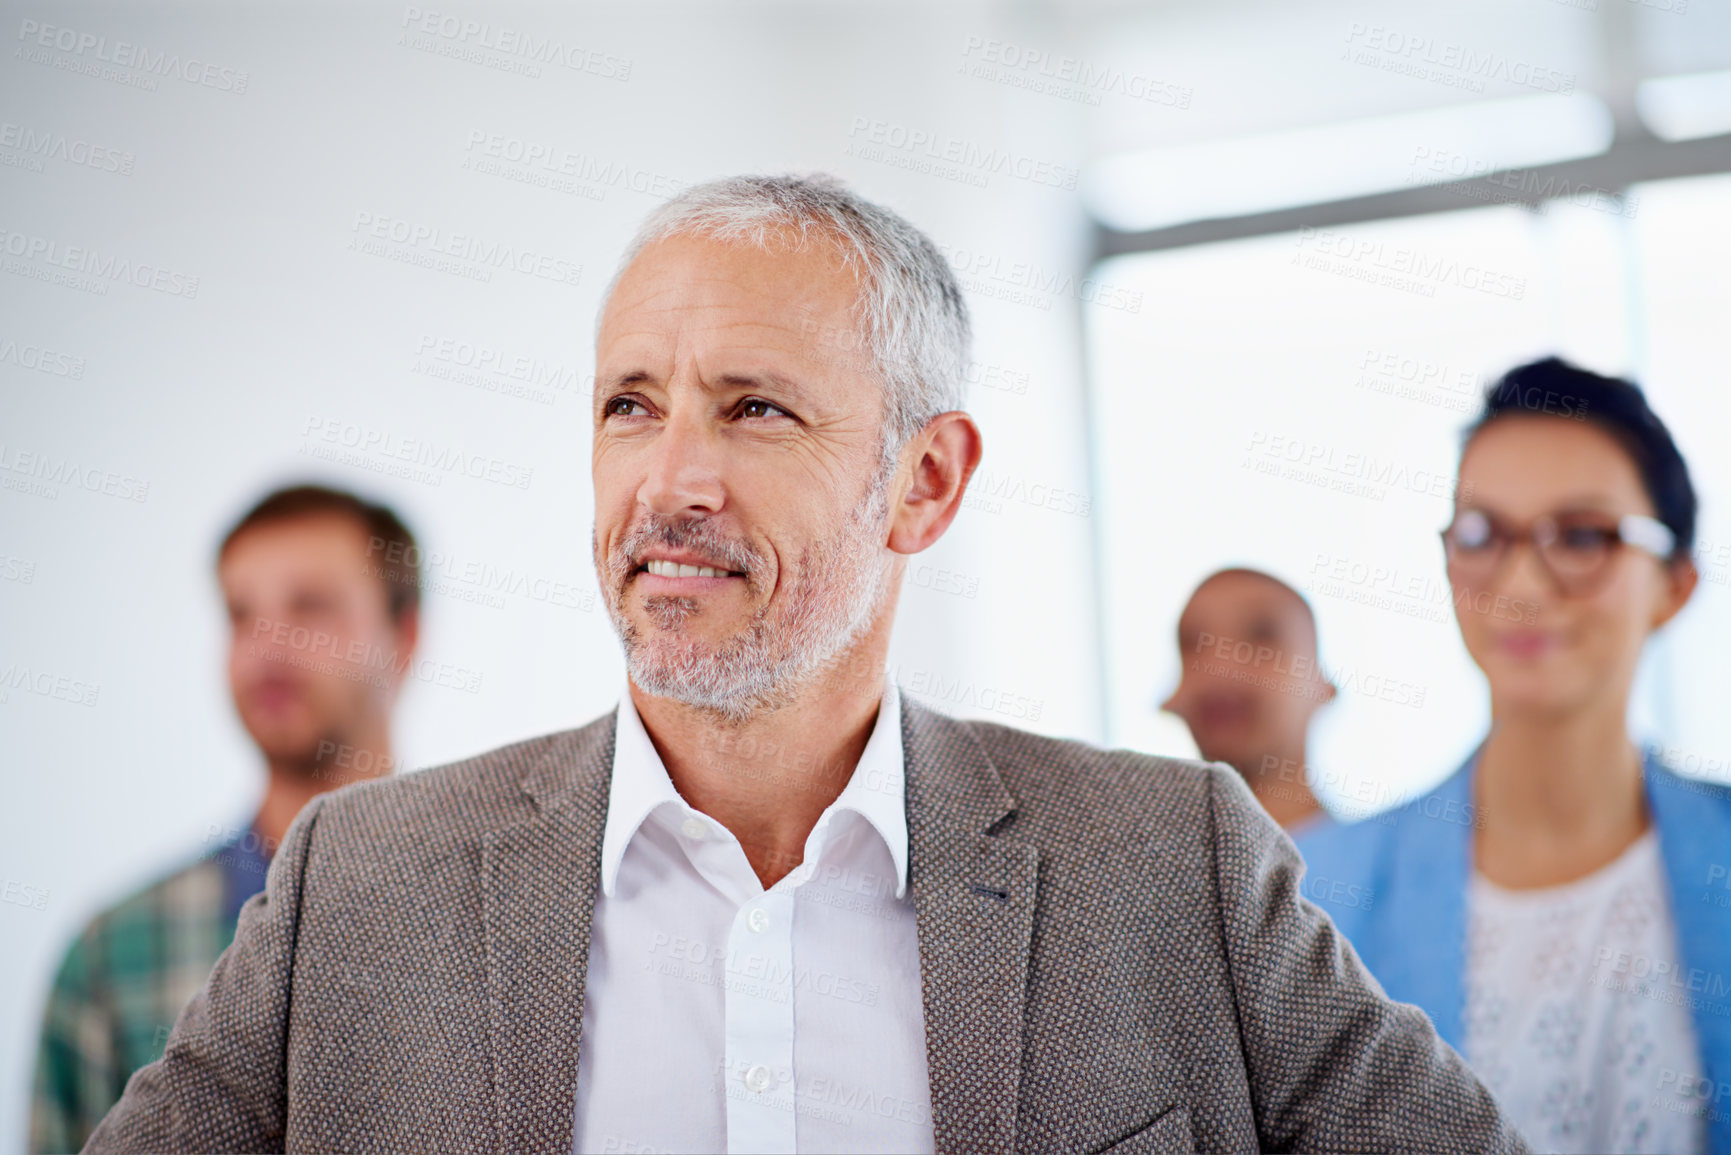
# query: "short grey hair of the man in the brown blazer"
[[917, 326]]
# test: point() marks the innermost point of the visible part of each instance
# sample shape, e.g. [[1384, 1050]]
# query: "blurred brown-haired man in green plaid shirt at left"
[[306, 562]]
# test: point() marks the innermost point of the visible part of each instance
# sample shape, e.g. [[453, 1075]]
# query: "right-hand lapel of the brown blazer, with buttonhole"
[[974, 903]]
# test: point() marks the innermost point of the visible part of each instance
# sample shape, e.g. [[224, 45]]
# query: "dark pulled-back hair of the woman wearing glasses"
[[1555, 389]]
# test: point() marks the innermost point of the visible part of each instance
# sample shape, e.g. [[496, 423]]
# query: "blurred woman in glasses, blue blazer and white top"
[[1559, 907]]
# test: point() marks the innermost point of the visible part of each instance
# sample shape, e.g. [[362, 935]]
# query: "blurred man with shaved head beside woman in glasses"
[[1251, 685]]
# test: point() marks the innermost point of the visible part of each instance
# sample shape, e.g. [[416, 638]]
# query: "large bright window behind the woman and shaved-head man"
[[1294, 404]]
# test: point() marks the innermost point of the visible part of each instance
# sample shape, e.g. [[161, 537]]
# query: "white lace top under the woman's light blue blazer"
[[1571, 1017]]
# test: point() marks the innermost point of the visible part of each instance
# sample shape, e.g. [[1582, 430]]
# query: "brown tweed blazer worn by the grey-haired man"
[[1114, 953]]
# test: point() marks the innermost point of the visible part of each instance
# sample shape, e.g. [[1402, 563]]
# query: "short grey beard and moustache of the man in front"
[[785, 647]]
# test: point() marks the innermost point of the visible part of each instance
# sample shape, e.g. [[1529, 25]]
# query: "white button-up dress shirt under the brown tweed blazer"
[[723, 1017]]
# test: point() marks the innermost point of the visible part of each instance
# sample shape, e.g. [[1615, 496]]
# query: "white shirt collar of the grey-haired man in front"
[[641, 785]]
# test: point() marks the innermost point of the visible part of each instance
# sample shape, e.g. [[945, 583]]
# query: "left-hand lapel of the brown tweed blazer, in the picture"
[[539, 884]]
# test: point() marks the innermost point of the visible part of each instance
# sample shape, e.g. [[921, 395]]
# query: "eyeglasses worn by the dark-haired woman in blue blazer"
[[1574, 548]]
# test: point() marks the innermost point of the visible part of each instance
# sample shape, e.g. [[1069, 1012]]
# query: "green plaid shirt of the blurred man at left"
[[124, 984]]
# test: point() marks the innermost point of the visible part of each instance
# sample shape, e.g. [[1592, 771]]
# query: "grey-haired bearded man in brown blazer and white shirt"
[[898, 932]]
